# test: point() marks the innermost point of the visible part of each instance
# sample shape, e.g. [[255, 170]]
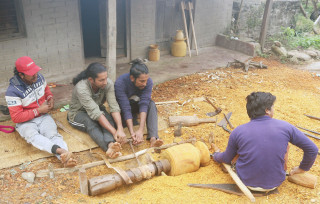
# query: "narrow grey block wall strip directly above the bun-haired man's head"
[[142, 24]]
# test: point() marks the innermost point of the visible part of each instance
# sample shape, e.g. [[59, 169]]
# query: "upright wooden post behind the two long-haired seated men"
[[111, 38]]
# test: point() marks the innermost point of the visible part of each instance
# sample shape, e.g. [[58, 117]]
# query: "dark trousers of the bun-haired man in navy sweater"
[[152, 118]]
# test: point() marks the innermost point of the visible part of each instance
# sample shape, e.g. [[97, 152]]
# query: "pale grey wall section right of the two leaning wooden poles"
[[211, 18]]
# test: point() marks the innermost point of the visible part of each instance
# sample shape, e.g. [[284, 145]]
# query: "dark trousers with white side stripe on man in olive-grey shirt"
[[100, 135]]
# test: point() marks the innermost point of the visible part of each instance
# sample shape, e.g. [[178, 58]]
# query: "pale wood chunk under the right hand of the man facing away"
[[305, 179]]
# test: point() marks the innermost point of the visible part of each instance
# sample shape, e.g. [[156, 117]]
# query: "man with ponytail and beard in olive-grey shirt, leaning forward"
[[87, 112]]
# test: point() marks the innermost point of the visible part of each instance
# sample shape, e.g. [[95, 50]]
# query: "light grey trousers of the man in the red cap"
[[42, 133]]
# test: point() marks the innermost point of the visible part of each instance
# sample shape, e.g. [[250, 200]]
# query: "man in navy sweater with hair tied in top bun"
[[133, 92]]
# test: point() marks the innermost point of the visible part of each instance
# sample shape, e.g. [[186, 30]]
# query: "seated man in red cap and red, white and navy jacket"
[[29, 100]]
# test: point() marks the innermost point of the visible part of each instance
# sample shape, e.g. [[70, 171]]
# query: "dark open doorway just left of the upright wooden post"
[[90, 27]]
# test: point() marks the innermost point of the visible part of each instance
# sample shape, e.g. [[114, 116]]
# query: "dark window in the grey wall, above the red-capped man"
[[11, 20]]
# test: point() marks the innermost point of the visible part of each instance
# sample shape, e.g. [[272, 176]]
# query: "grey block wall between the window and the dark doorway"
[[53, 41]]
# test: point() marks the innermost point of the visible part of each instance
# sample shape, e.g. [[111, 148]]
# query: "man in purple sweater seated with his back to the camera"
[[262, 146]]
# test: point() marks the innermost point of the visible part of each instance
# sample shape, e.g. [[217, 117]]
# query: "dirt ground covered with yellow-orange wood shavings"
[[297, 91]]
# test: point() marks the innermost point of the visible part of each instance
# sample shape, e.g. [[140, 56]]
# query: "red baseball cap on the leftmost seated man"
[[27, 66]]
